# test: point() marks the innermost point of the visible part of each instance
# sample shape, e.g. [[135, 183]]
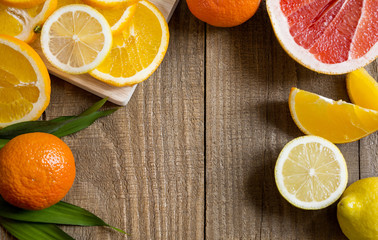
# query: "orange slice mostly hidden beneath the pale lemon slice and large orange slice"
[[117, 17]]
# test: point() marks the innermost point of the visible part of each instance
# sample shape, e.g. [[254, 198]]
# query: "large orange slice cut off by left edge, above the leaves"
[[24, 82]]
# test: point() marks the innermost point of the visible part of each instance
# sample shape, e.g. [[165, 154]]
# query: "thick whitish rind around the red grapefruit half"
[[302, 55]]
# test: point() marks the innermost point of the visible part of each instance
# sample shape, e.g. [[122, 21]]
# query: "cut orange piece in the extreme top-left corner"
[[20, 23]]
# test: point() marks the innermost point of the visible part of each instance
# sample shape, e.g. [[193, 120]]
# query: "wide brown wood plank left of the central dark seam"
[[142, 168]]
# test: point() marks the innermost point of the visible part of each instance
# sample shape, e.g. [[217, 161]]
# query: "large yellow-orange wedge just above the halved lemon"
[[337, 121]]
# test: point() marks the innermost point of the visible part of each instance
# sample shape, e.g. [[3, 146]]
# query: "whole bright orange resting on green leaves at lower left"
[[36, 170]]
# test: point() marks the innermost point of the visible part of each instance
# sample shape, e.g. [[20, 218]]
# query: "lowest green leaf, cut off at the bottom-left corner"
[[34, 231]]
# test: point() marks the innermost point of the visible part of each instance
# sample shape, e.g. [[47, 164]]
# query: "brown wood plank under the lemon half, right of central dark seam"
[[248, 82]]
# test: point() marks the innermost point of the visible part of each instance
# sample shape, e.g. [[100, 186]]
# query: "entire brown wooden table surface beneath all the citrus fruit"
[[192, 154]]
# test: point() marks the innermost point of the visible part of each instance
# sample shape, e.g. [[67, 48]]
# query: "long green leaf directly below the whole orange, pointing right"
[[60, 213]]
